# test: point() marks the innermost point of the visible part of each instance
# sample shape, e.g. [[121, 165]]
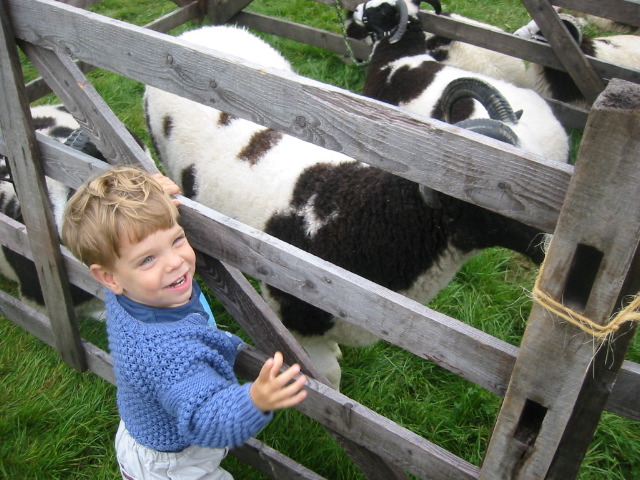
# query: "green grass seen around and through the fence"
[[57, 423]]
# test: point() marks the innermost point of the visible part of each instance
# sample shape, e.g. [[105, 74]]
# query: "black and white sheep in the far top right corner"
[[623, 50]]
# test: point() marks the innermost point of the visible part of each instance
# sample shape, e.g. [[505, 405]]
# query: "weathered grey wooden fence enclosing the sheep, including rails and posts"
[[554, 389]]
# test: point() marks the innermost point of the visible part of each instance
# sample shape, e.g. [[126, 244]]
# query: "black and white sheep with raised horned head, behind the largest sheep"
[[403, 73]]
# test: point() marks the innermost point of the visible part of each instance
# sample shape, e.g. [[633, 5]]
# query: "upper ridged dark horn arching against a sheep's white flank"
[[470, 87]]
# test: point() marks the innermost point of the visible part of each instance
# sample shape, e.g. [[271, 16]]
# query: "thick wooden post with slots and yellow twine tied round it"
[[564, 373]]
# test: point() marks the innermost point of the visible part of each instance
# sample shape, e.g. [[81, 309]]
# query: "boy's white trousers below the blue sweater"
[[138, 462]]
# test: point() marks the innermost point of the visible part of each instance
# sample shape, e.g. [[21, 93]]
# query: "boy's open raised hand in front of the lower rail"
[[272, 391]]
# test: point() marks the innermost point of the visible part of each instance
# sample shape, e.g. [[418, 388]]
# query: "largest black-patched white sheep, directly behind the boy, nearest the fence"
[[359, 217]]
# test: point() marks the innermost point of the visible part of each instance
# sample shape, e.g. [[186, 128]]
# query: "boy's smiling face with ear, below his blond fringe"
[[156, 271]]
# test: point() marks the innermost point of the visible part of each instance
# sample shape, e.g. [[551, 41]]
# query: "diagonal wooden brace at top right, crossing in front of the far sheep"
[[566, 48]]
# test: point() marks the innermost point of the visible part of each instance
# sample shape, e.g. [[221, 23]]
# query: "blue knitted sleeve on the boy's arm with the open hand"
[[212, 411]]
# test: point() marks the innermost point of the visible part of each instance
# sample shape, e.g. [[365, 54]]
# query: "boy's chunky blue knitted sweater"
[[175, 382]]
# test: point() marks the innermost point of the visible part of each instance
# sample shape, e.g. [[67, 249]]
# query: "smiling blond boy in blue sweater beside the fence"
[[180, 403]]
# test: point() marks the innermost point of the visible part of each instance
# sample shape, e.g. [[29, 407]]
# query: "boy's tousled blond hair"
[[120, 201]]
